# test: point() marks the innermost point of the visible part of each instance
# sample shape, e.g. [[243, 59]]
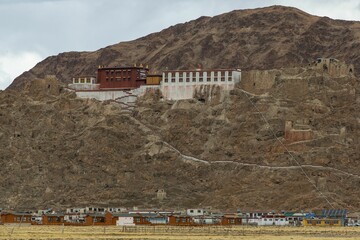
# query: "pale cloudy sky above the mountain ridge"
[[32, 30]]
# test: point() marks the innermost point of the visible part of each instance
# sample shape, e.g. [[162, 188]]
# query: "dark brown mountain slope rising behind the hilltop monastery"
[[264, 38]]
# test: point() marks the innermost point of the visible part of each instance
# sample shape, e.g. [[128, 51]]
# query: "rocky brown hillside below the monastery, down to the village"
[[228, 151]]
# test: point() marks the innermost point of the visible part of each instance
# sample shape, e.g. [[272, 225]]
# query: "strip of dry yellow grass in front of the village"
[[177, 233]]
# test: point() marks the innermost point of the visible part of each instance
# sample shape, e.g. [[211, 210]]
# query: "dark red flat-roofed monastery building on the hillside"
[[121, 77]]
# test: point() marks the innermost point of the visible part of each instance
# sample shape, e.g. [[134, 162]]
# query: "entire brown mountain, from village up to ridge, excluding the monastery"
[[285, 138]]
